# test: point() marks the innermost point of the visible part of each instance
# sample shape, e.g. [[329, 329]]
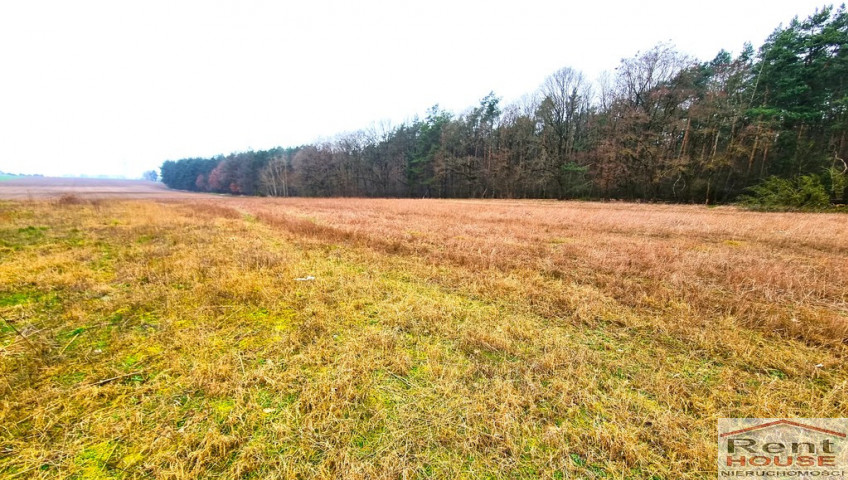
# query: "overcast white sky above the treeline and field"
[[116, 87]]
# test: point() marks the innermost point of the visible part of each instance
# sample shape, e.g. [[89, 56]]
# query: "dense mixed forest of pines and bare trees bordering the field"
[[766, 125]]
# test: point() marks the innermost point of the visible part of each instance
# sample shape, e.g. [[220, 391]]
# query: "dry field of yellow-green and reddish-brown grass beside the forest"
[[169, 335]]
